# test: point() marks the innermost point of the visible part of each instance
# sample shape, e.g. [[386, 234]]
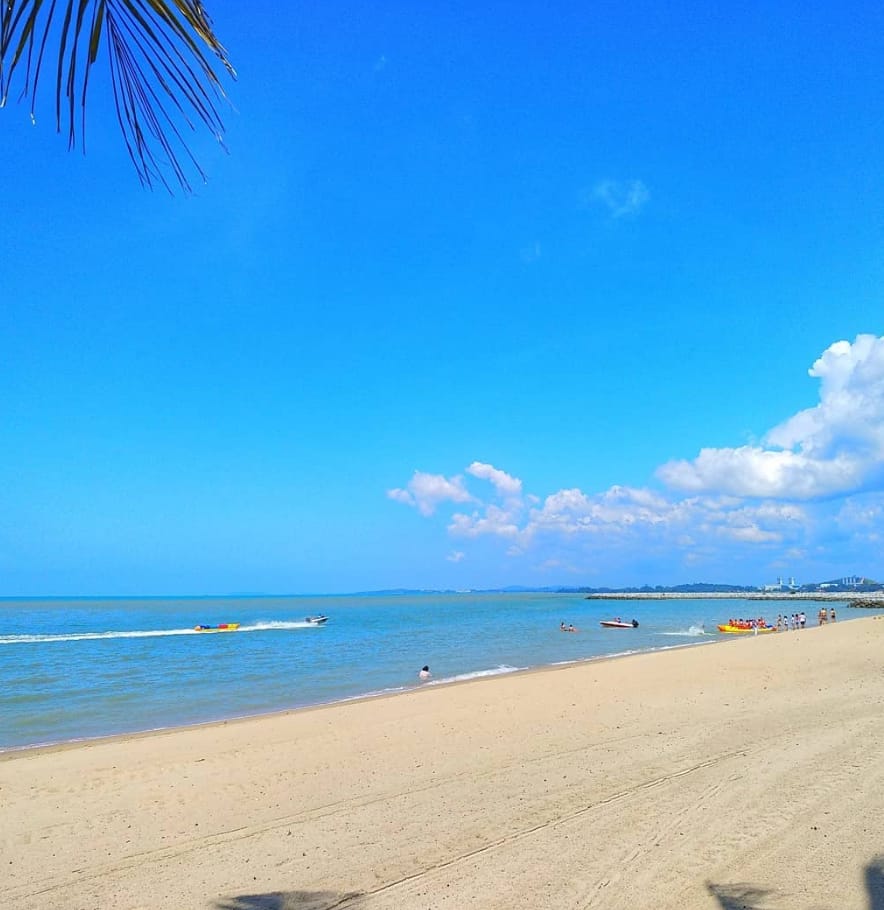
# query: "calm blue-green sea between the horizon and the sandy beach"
[[72, 669]]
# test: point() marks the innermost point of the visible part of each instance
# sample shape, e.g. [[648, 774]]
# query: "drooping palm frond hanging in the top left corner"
[[158, 58]]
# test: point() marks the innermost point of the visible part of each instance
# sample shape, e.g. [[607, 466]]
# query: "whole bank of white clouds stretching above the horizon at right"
[[814, 486]]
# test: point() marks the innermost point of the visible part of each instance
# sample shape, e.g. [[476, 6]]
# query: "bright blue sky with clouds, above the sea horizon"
[[475, 298]]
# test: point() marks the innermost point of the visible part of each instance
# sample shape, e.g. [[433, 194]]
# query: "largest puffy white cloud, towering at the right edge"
[[836, 447]]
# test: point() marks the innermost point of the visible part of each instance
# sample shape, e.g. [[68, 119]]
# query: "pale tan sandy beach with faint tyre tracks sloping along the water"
[[747, 774]]
